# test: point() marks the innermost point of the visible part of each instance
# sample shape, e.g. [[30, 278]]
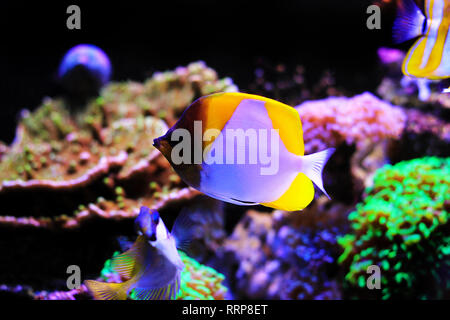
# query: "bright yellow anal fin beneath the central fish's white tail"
[[297, 197]]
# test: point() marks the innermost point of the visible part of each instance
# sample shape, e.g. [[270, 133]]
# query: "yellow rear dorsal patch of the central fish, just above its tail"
[[286, 120]]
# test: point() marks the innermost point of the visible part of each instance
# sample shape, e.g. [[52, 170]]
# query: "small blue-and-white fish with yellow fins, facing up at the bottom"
[[152, 265]]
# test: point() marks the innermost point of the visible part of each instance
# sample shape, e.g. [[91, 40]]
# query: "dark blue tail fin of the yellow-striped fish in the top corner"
[[409, 22]]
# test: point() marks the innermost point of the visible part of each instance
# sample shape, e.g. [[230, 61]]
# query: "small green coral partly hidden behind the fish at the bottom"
[[198, 282]]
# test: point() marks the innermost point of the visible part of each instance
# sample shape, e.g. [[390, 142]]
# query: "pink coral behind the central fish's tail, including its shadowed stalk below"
[[359, 128]]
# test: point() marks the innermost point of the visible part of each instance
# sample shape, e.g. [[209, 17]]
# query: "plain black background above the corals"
[[146, 36]]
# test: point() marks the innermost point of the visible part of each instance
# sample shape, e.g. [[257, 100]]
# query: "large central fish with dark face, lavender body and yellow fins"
[[289, 187]]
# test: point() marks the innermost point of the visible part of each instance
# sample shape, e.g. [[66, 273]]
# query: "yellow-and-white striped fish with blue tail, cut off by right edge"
[[429, 57]]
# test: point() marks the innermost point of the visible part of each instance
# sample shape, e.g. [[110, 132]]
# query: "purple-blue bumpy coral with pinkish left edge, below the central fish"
[[286, 255]]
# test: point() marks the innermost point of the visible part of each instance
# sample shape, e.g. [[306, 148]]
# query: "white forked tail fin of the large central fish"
[[313, 164]]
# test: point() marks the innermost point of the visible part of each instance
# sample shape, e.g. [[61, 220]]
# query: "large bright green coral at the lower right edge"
[[402, 226]]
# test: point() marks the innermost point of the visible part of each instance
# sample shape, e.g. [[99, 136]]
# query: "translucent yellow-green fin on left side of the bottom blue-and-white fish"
[[125, 263]]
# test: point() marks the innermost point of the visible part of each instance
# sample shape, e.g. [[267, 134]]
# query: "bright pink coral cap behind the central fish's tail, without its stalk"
[[360, 120]]
